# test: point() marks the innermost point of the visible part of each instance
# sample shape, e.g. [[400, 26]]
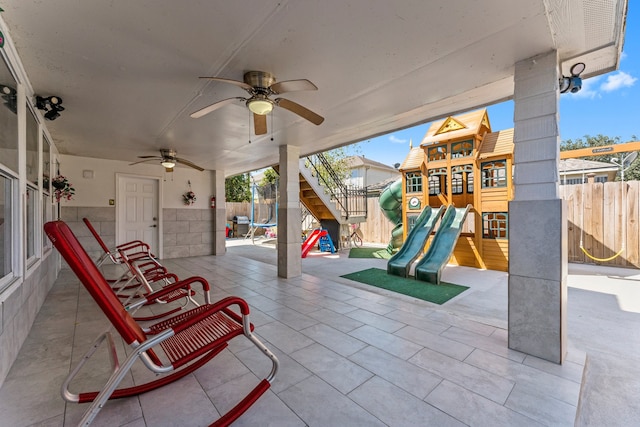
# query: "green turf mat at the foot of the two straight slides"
[[437, 294]]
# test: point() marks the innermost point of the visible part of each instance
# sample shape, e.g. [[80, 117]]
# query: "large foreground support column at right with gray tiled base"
[[537, 216]]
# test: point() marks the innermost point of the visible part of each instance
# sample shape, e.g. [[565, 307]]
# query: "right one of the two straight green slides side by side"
[[429, 268]]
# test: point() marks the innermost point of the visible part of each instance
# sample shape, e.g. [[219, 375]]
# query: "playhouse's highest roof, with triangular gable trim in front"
[[463, 125]]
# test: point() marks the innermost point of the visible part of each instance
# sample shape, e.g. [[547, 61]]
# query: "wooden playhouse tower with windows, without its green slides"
[[462, 162]]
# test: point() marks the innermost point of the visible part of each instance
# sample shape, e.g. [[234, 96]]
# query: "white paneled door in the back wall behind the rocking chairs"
[[138, 211]]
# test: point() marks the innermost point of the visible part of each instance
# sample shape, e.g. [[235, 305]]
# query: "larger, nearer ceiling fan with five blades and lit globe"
[[260, 85]]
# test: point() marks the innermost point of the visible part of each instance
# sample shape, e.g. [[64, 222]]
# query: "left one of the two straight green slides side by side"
[[400, 263]]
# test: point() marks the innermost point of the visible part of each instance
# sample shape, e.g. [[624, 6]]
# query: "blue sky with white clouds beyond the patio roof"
[[607, 105]]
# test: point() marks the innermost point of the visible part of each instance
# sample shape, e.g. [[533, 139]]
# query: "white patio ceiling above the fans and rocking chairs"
[[127, 71]]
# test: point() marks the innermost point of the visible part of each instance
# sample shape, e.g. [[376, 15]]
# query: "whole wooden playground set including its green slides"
[[458, 183]]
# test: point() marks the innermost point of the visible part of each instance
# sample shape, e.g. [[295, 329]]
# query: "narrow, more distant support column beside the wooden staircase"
[[289, 214]]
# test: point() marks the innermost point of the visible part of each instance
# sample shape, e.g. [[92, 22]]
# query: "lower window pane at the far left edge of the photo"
[[6, 234]]
